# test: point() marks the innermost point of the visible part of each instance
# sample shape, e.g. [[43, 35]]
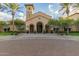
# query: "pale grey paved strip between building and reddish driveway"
[[48, 36]]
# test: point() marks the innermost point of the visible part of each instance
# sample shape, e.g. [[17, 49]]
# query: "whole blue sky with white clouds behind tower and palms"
[[48, 8]]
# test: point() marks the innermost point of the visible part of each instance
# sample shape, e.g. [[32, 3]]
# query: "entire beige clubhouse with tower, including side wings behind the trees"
[[38, 22]]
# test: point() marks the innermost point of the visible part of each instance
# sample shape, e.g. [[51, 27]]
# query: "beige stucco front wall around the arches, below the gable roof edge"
[[34, 21]]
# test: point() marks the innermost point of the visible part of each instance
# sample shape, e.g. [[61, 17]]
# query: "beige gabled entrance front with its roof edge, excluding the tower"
[[35, 19]]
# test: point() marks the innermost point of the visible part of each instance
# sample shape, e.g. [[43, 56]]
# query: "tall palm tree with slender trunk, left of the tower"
[[13, 7]]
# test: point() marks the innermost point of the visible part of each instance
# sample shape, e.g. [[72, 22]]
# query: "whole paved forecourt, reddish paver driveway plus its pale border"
[[39, 44]]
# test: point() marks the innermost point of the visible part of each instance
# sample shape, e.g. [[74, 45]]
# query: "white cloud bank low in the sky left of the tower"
[[6, 17]]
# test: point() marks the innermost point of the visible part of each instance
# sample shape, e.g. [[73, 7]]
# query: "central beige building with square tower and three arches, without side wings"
[[36, 22]]
